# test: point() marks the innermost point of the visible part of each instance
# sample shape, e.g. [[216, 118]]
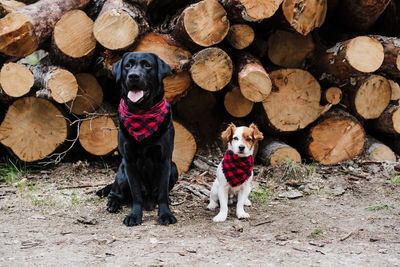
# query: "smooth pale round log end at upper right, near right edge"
[[365, 54]]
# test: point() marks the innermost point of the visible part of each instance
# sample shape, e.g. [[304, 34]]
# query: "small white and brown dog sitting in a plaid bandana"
[[235, 172]]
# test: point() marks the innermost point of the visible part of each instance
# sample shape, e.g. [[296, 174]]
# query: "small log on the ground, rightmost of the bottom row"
[[376, 150]]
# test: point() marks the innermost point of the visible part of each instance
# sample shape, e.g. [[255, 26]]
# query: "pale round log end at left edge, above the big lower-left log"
[[15, 79]]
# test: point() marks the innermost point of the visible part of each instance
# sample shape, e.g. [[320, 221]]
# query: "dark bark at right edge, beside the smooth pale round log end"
[[391, 62]]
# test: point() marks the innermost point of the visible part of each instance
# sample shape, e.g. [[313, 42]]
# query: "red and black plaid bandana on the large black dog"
[[143, 123]]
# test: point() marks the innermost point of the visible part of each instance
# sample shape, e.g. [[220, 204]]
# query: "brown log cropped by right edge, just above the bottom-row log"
[[389, 121]]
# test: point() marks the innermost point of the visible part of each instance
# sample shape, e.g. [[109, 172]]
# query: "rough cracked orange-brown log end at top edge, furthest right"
[[305, 15]]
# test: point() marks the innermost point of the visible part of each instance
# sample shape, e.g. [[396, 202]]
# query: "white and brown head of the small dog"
[[242, 140]]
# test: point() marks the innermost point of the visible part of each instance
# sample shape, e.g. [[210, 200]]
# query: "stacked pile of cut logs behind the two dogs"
[[321, 79]]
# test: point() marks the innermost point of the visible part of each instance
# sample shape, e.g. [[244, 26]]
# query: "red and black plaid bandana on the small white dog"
[[237, 170]]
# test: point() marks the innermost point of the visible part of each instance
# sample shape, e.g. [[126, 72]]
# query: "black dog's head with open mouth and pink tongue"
[[140, 76]]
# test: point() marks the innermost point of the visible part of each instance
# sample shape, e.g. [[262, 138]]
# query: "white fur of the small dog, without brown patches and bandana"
[[222, 191]]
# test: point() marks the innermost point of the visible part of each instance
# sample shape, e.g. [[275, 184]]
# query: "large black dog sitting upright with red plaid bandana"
[[147, 172]]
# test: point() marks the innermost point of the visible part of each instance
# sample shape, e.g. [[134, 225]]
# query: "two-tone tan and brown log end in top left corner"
[[17, 36]]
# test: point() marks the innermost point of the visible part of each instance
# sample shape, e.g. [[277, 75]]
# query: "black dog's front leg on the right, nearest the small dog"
[[165, 215]]
